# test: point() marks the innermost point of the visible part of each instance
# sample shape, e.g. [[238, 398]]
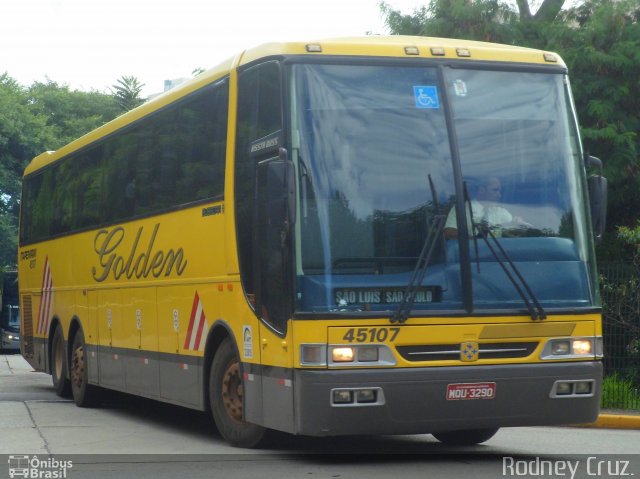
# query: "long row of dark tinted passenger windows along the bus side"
[[172, 158]]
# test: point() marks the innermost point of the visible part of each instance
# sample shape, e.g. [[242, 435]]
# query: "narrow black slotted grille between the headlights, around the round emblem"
[[451, 352]]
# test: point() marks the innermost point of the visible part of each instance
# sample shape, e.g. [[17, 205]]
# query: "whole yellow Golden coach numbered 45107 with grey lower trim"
[[282, 242]]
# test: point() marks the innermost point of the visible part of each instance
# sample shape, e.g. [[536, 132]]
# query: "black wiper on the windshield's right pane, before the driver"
[[536, 311]]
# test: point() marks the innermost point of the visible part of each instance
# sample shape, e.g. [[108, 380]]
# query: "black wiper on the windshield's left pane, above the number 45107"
[[408, 298]]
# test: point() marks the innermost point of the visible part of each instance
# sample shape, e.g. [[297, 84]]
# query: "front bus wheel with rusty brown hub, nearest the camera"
[[226, 399]]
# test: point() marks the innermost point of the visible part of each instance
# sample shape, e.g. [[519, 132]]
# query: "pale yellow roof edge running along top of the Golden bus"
[[370, 46]]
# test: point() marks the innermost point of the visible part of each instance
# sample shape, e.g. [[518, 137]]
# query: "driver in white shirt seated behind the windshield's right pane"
[[486, 211]]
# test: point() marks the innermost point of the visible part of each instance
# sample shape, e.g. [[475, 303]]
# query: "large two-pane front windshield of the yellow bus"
[[366, 142]]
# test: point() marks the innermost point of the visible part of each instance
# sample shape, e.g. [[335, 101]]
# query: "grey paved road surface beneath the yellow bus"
[[130, 436]]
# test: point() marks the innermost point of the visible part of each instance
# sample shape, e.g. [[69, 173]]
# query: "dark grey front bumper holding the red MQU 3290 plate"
[[423, 400]]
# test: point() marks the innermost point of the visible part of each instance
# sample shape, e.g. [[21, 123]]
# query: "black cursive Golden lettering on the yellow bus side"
[[137, 262]]
